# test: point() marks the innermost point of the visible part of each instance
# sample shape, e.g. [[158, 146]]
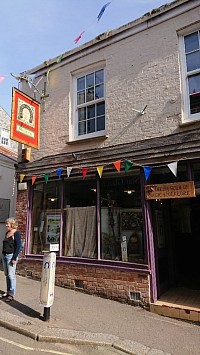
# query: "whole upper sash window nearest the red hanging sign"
[[90, 104]]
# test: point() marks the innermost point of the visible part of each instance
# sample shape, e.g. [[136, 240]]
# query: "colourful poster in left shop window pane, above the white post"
[[53, 222]]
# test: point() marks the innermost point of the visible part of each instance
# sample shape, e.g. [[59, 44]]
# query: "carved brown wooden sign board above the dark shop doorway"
[[184, 189]]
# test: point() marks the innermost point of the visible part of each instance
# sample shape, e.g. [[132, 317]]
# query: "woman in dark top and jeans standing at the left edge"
[[11, 249]]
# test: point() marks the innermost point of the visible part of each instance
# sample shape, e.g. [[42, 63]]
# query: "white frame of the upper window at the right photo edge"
[[187, 117]]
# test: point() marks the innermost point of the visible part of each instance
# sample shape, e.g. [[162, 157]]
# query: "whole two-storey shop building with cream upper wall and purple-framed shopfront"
[[119, 116]]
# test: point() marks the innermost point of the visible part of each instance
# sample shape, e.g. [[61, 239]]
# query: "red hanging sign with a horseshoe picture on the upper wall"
[[25, 119]]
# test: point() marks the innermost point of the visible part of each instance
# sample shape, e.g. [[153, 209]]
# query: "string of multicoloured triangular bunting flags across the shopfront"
[[128, 165]]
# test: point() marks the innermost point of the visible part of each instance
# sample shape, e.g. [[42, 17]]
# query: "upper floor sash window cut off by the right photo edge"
[[191, 43]]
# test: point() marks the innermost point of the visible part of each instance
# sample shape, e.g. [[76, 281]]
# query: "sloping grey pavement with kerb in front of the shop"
[[76, 317]]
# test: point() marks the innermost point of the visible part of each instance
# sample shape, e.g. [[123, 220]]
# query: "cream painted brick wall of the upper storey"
[[142, 69]]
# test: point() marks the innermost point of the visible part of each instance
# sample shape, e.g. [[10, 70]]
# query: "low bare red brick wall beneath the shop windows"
[[101, 281]]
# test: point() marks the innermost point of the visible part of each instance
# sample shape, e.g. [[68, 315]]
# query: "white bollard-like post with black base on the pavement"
[[47, 283]]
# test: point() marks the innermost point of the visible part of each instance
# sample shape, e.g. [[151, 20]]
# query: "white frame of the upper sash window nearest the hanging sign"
[[74, 128]]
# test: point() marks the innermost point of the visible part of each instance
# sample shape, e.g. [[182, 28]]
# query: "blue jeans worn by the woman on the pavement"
[[9, 271]]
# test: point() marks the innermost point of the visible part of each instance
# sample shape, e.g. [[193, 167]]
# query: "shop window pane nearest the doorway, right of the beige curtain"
[[121, 219]]
